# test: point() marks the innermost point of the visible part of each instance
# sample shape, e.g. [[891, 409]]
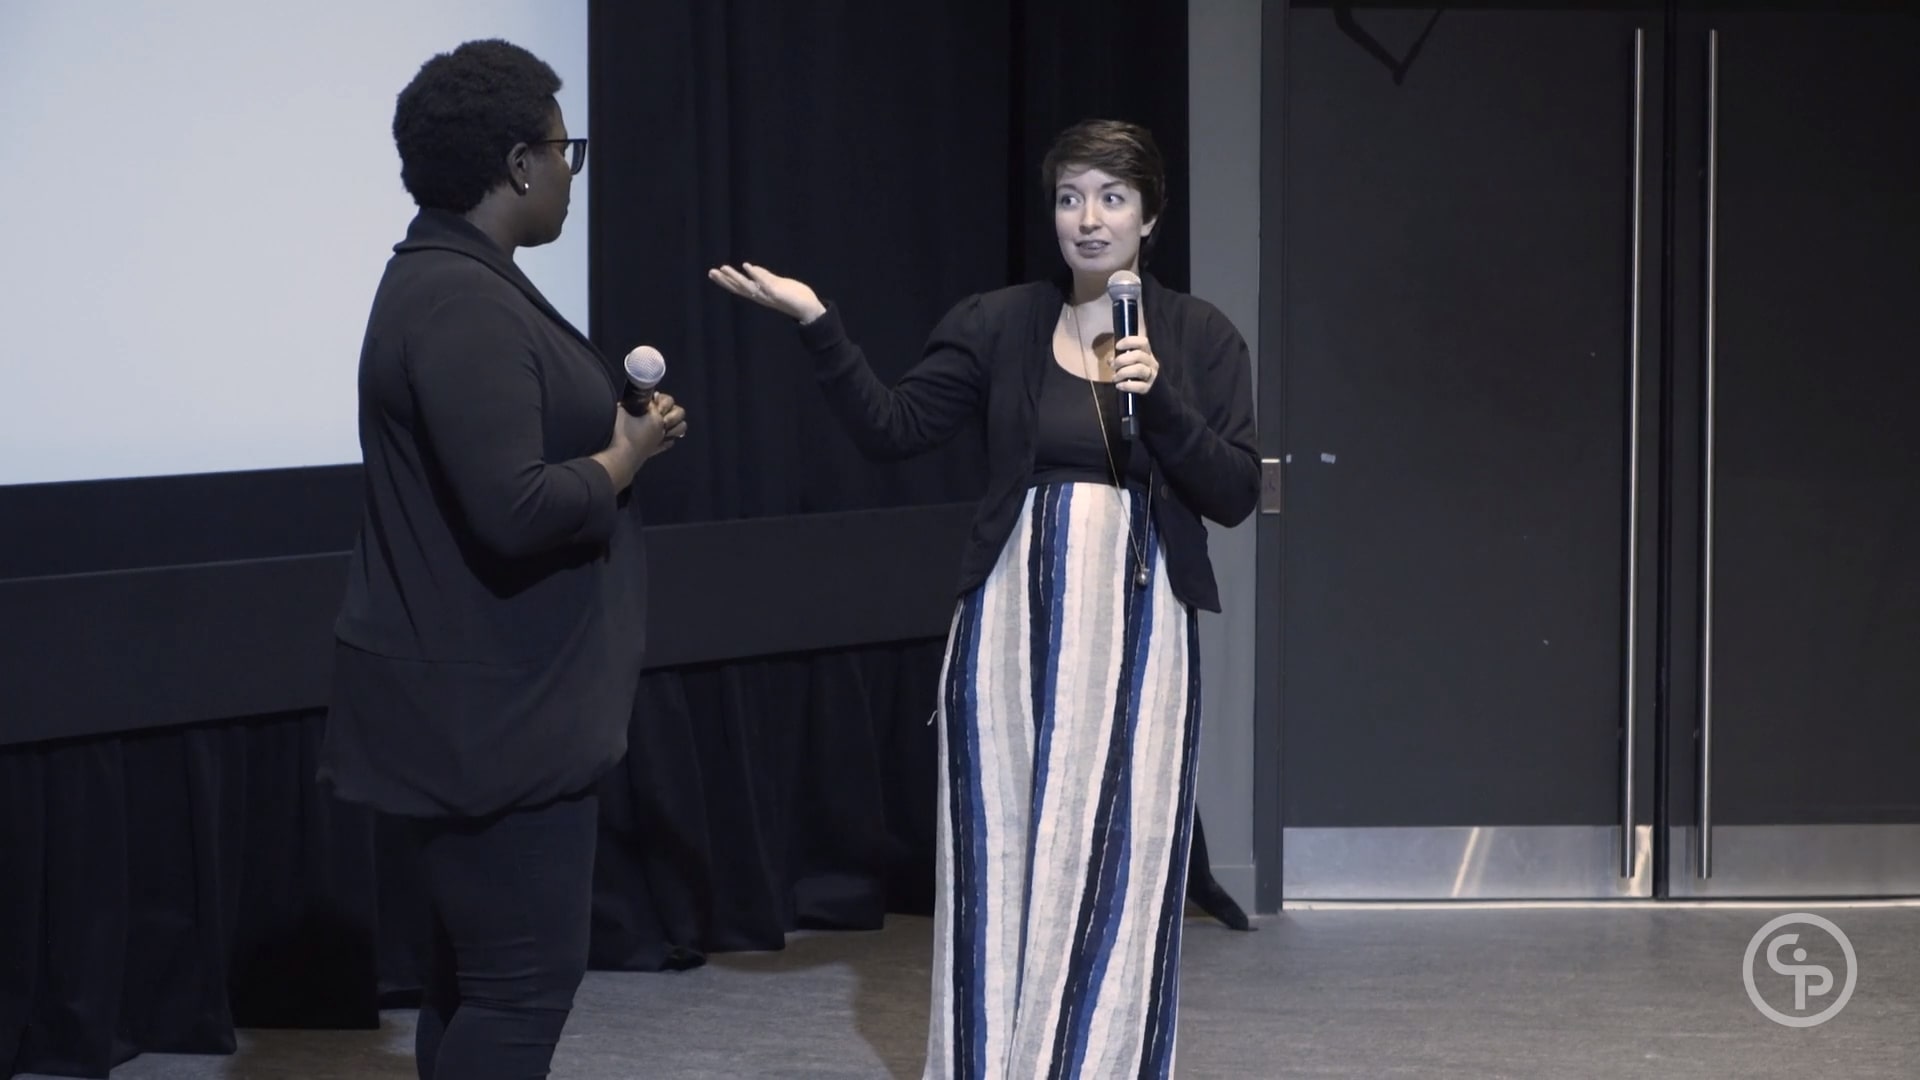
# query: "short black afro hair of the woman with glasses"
[[462, 114]]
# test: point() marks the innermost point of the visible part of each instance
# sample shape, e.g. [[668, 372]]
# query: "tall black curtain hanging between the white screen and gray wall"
[[884, 153]]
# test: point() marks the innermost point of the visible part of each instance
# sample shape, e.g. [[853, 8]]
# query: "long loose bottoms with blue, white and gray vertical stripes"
[[1070, 712]]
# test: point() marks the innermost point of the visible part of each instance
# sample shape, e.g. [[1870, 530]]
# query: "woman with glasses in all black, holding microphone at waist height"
[[491, 639]]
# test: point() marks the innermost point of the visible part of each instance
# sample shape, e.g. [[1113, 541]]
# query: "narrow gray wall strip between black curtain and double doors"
[[1224, 157]]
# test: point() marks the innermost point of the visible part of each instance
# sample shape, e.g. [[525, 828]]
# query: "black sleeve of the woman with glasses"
[[477, 391]]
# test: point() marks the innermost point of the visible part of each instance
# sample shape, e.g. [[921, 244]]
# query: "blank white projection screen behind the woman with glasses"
[[204, 197]]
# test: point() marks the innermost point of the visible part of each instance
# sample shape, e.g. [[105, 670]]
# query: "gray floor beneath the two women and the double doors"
[[1378, 994]]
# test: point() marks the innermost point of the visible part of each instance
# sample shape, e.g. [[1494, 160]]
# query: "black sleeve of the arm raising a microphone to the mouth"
[[1207, 443]]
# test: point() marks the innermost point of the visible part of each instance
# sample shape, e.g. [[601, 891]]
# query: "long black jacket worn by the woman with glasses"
[[492, 627]]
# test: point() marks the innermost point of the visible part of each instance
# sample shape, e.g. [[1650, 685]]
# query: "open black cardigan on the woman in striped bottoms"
[[988, 355]]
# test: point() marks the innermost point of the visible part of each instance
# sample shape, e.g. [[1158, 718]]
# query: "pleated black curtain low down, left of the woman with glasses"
[[160, 889]]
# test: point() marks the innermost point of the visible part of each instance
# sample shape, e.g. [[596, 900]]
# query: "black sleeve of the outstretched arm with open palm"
[[926, 406]]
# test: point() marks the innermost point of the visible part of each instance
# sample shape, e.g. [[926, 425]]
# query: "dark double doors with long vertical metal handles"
[[1600, 551]]
